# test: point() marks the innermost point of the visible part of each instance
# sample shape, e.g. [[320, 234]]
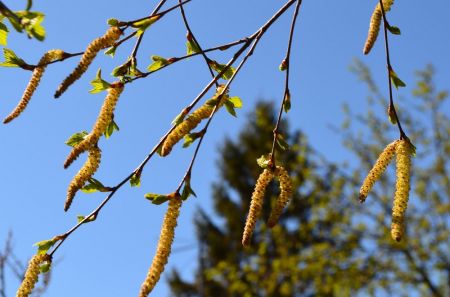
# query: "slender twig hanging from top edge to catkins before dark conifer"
[[286, 85]]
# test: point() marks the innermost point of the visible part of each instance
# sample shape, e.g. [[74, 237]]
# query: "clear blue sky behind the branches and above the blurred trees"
[[110, 257]]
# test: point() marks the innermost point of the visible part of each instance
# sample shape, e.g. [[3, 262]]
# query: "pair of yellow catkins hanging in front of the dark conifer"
[[258, 197]]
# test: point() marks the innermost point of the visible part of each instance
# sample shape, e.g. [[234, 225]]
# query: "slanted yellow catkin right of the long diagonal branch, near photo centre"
[[191, 122]]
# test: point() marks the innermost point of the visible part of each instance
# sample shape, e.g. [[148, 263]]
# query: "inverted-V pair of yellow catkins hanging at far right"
[[403, 149]]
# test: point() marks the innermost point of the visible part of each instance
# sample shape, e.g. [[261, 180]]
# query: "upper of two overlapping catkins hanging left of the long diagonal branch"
[[103, 119]]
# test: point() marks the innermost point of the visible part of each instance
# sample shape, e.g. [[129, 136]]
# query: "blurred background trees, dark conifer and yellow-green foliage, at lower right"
[[326, 243]]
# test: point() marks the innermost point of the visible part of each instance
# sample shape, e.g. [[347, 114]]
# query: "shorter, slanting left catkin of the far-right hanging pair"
[[378, 169]]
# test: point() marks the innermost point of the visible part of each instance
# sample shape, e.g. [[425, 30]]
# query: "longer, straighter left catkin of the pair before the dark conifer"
[[256, 204]]
